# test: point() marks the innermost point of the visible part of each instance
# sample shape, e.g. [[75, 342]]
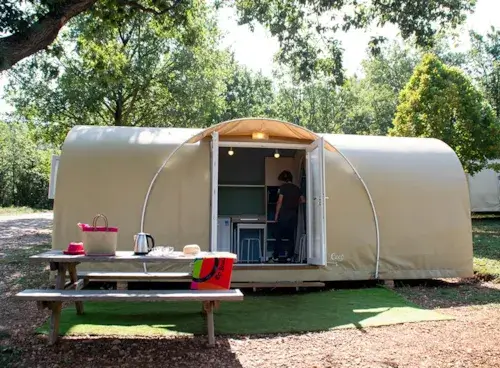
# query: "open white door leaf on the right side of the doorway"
[[316, 206]]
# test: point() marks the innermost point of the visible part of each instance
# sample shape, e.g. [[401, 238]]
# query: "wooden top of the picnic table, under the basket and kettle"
[[126, 256]]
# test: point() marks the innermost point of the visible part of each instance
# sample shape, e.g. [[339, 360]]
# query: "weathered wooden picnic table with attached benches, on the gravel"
[[72, 291]]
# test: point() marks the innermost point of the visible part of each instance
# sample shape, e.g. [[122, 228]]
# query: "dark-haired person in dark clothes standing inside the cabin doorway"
[[289, 199]]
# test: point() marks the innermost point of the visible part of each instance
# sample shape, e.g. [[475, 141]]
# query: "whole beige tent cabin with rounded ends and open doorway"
[[376, 207]]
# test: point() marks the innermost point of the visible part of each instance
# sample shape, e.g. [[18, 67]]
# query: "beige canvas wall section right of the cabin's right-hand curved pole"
[[421, 197]]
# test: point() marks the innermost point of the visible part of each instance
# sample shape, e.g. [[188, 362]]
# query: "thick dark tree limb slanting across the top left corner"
[[39, 35]]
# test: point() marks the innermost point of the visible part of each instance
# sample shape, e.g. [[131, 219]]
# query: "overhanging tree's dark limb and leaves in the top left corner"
[[33, 25]]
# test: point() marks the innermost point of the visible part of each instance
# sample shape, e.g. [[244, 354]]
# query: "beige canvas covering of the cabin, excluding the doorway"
[[418, 188]]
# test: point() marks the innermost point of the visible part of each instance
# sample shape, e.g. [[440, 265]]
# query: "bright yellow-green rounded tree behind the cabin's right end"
[[440, 102]]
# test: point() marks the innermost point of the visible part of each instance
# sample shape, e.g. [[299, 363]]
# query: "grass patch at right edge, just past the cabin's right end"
[[486, 237]]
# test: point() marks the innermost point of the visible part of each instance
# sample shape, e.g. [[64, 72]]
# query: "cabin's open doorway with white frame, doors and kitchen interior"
[[244, 196]]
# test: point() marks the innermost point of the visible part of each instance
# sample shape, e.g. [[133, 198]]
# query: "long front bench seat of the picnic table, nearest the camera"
[[130, 295]]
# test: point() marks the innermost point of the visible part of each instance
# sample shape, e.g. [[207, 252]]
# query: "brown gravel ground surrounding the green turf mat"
[[469, 341]]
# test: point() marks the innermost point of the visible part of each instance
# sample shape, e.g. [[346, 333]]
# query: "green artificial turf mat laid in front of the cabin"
[[257, 314]]
